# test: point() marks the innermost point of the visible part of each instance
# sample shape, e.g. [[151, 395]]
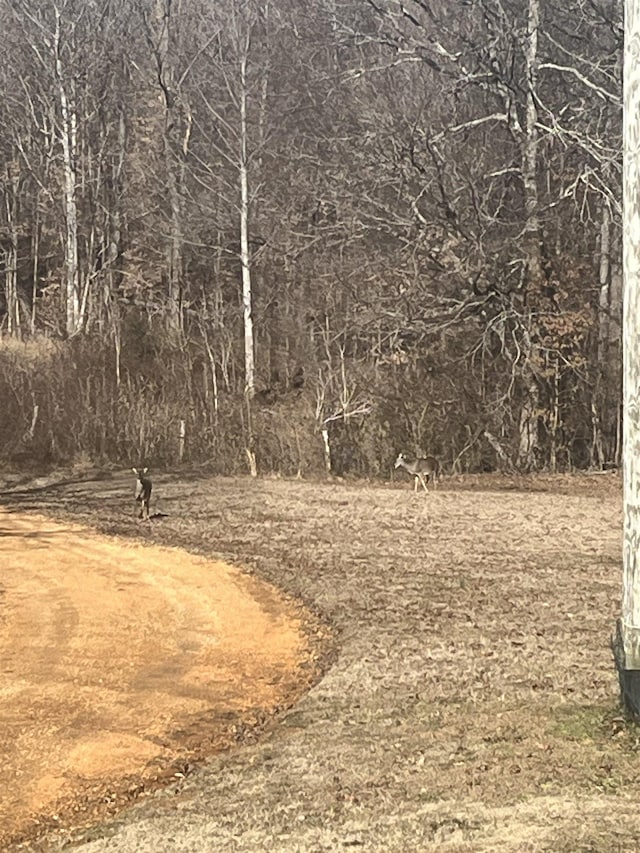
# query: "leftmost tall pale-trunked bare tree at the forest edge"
[[64, 95]]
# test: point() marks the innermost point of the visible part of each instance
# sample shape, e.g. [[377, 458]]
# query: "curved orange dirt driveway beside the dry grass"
[[119, 661]]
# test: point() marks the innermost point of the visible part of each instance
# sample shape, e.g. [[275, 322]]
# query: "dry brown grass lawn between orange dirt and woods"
[[469, 699]]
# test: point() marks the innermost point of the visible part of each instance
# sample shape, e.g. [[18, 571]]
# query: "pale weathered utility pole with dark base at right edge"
[[627, 641]]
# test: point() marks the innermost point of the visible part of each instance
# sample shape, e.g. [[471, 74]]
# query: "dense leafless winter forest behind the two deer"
[[296, 238]]
